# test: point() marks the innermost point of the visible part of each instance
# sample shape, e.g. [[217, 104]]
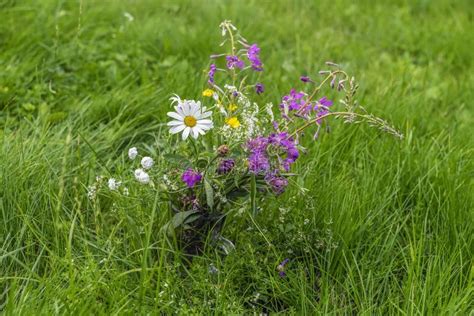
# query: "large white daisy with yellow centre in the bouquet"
[[189, 118]]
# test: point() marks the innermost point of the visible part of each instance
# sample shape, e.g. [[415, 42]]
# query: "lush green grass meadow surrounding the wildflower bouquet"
[[390, 223]]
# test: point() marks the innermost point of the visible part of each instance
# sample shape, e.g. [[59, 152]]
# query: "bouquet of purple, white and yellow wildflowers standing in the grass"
[[231, 151]]
